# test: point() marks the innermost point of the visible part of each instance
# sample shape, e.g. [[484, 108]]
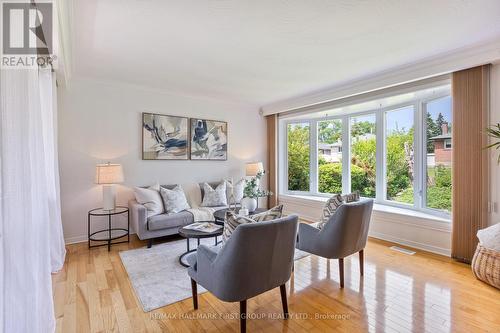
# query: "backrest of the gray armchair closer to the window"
[[346, 231]]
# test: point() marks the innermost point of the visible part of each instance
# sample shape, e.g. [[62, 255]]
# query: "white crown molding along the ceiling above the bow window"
[[471, 56]]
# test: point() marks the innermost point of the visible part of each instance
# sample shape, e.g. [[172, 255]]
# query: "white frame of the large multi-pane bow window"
[[419, 145]]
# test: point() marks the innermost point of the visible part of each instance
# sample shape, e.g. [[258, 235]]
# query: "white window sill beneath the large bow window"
[[376, 207]]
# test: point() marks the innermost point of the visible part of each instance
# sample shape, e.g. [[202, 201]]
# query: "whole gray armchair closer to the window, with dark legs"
[[344, 234]]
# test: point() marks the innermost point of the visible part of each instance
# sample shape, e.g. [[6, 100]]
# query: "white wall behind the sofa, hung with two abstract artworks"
[[100, 122]]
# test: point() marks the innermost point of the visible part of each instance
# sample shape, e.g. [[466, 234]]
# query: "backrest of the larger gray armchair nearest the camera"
[[257, 257]]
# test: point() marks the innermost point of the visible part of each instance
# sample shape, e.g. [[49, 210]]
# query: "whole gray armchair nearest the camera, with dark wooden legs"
[[257, 257]]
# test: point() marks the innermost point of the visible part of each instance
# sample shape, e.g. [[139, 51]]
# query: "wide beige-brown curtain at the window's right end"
[[470, 90]]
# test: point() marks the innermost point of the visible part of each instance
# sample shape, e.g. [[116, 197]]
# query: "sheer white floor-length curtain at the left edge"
[[31, 239]]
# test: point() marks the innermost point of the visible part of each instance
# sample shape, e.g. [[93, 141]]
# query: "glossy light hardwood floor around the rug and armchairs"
[[398, 293]]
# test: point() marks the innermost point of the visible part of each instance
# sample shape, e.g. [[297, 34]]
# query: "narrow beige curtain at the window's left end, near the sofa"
[[272, 158]]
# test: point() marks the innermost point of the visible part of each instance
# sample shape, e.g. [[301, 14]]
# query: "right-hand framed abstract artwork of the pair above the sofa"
[[208, 139]]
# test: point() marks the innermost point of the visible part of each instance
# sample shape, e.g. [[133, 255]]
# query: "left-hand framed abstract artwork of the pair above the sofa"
[[164, 137]]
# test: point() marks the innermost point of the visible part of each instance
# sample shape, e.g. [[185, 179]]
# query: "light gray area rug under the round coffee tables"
[[157, 277]]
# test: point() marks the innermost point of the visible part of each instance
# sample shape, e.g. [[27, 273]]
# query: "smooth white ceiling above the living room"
[[263, 51]]
